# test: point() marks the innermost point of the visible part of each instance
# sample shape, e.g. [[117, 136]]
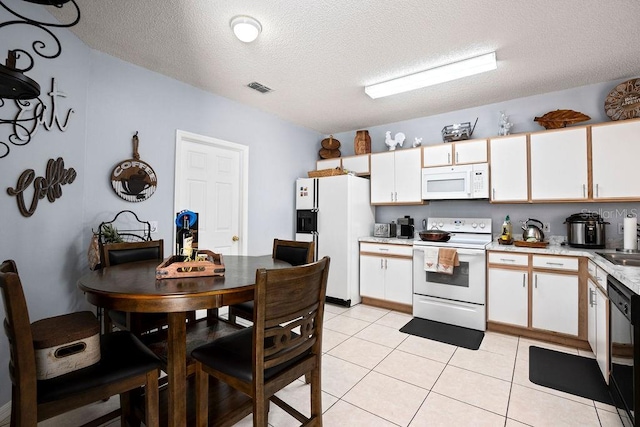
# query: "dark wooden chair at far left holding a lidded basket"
[[125, 365]]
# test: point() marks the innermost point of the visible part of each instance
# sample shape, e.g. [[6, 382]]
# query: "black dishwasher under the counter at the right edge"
[[624, 331]]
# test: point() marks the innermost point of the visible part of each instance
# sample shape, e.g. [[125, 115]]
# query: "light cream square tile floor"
[[374, 375]]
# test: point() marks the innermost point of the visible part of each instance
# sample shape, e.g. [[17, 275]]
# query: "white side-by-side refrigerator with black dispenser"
[[334, 212]]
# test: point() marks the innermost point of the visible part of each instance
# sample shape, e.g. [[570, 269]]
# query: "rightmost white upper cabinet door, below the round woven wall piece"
[[615, 151]]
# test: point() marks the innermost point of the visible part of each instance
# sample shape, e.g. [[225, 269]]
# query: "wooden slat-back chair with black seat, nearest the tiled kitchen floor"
[[284, 343]]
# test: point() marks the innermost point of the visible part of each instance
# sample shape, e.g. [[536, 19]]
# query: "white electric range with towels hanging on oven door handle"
[[459, 298]]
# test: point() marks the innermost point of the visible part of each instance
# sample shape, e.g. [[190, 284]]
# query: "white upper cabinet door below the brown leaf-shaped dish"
[[559, 165]]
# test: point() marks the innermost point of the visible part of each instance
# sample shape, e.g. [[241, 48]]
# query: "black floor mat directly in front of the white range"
[[443, 332]]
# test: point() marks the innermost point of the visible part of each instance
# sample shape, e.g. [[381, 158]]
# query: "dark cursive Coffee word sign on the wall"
[[49, 186]]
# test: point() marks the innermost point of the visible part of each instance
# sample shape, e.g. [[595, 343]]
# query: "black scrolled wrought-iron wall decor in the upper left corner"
[[14, 84]]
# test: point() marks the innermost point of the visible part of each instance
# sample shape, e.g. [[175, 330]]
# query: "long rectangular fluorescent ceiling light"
[[434, 76]]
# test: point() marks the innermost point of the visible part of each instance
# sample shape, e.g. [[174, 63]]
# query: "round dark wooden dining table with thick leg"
[[133, 287]]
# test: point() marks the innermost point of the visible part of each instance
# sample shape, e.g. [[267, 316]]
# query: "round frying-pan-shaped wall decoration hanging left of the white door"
[[132, 179]]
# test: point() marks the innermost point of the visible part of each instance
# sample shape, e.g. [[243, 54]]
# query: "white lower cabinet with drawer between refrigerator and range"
[[386, 272]]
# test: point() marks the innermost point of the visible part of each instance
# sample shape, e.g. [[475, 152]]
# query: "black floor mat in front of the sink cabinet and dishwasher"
[[570, 373]]
